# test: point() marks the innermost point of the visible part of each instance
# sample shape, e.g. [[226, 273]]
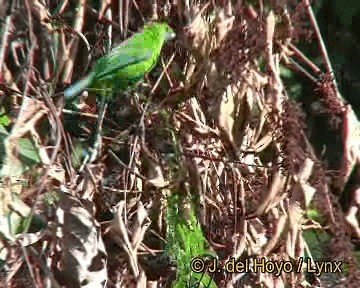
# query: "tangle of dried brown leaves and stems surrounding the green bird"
[[220, 127]]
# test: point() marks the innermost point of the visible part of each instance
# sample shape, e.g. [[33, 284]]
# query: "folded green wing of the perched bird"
[[120, 58]]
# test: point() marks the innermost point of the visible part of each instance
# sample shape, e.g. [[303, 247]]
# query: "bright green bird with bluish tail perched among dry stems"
[[126, 64]]
